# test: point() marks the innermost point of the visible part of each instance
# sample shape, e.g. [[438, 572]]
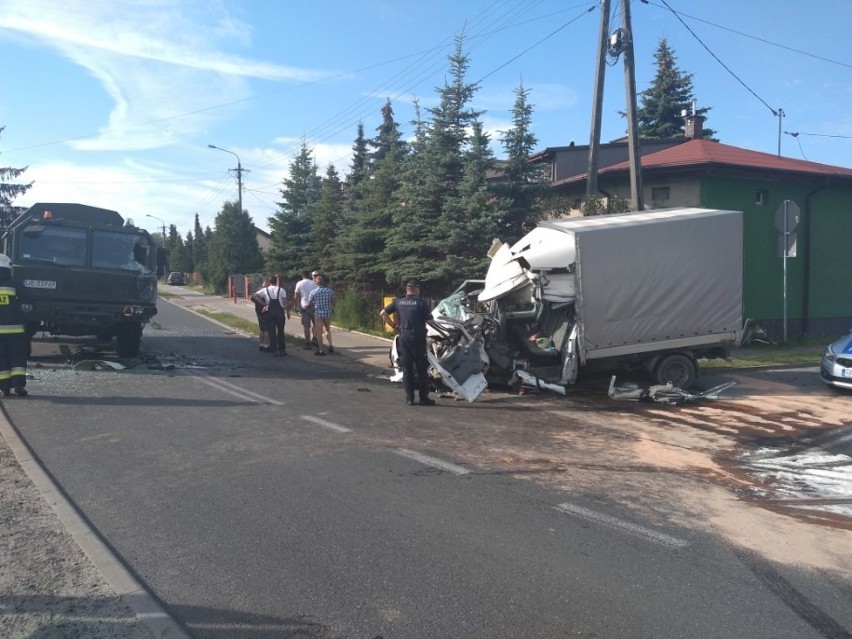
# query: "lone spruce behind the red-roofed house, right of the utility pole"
[[660, 114]]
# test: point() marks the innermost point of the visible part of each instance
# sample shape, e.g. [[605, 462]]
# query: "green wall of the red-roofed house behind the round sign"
[[819, 277]]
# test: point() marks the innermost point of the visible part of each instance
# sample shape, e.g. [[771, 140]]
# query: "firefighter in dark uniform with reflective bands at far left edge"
[[13, 338]]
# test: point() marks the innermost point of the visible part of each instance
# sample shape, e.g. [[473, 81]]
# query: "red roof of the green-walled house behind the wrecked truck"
[[705, 153]]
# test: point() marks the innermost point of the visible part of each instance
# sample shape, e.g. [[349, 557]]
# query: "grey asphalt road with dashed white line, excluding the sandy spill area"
[[263, 497]]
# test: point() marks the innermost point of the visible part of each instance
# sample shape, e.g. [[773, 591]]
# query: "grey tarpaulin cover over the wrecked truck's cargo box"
[[633, 257]]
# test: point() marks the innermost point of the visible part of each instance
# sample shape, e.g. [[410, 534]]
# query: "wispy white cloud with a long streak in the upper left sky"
[[160, 62]]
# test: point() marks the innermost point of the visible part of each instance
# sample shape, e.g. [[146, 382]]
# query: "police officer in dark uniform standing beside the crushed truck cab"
[[414, 314]]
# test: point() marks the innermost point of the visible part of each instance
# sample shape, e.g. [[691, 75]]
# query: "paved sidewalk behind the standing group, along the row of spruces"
[[350, 347]]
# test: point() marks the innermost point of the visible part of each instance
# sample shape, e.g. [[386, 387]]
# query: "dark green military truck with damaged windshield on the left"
[[84, 272]]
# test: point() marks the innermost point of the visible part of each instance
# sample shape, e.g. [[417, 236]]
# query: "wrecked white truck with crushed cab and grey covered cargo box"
[[652, 292]]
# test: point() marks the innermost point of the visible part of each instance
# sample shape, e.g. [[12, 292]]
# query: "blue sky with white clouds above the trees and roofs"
[[113, 102]]
